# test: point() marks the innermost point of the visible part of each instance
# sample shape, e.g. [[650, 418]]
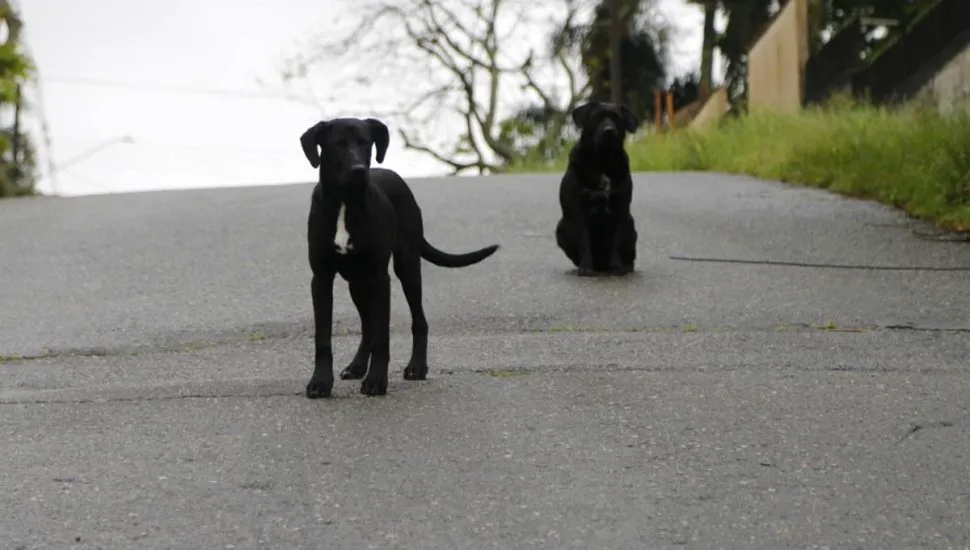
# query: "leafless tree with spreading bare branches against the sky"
[[452, 73]]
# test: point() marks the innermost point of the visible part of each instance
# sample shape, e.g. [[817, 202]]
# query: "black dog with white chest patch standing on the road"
[[359, 219]]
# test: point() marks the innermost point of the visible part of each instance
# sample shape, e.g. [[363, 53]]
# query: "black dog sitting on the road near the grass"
[[596, 230]]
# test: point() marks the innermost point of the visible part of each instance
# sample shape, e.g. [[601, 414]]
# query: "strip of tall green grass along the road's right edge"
[[909, 157]]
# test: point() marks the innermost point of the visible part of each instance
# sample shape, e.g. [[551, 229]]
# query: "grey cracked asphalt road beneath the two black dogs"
[[155, 349]]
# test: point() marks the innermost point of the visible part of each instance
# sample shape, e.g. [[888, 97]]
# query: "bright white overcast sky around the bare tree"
[[180, 78]]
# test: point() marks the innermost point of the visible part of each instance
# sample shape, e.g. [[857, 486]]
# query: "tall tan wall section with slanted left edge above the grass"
[[776, 62]]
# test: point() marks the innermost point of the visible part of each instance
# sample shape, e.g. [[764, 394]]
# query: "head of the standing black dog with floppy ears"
[[342, 147]]
